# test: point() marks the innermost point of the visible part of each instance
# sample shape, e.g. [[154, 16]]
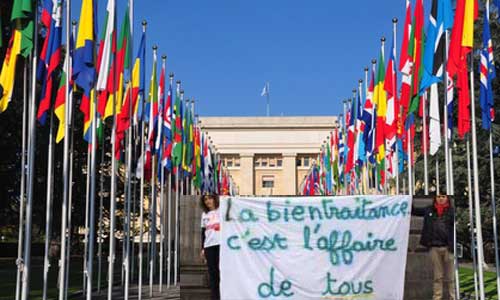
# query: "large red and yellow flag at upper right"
[[461, 43]]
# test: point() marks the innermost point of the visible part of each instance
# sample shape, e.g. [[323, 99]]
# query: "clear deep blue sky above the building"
[[312, 53]]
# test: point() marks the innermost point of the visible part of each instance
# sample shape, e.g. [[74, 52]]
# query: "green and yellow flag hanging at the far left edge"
[[21, 43]]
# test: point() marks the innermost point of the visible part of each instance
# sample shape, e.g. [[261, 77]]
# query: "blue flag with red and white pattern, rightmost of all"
[[487, 74]]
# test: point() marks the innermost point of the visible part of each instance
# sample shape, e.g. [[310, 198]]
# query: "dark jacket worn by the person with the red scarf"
[[429, 213]]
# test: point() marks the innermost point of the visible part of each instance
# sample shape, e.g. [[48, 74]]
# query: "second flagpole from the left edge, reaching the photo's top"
[[31, 166]]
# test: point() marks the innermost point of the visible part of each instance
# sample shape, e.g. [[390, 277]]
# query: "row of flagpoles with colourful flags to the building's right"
[[342, 181]]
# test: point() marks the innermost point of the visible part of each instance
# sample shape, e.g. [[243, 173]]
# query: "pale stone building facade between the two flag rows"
[[268, 155]]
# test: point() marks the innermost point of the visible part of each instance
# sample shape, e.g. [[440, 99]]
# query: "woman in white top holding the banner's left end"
[[210, 236]]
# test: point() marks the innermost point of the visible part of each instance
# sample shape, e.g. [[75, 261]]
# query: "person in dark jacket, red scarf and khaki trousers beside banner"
[[437, 235]]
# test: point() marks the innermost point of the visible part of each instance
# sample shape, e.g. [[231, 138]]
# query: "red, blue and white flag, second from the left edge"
[[50, 56]]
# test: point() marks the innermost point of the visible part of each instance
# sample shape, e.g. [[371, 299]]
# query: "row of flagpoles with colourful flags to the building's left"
[[205, 175]]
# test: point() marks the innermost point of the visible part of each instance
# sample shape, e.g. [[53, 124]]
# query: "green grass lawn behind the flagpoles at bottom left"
[[8, 278]]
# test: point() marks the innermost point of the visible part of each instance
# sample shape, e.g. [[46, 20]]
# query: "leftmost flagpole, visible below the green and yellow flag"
[[19, 261]]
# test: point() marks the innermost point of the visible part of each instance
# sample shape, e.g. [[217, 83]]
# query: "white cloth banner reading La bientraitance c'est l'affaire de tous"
[[351, 247]]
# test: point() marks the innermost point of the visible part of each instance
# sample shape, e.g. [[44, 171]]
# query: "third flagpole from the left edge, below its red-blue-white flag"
[[48, 208]]
